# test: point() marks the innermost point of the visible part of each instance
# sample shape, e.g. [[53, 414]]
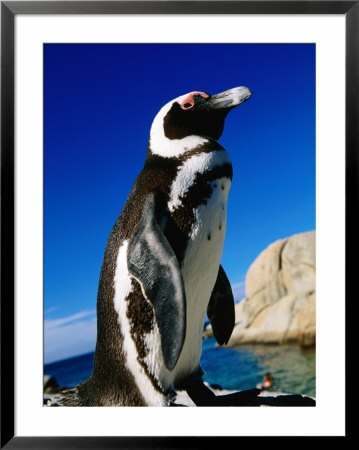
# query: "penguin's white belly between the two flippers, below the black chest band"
[[200, 269]]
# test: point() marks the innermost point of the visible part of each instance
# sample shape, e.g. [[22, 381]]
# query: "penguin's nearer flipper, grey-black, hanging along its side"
[[152, 261]]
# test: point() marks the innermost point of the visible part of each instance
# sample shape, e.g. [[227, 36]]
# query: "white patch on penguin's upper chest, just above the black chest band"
[[197, 164]]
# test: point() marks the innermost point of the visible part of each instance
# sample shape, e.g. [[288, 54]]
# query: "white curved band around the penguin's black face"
[[161, 145]]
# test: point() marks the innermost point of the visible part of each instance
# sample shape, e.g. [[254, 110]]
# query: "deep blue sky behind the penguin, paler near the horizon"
[[99, 103]]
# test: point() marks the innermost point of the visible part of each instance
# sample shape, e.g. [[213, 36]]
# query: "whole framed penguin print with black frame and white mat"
[[82, 82]]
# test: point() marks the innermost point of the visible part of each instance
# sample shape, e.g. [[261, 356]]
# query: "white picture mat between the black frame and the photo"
[[328, 417]]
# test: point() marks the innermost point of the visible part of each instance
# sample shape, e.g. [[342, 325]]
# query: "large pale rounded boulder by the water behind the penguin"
[[279, 307]]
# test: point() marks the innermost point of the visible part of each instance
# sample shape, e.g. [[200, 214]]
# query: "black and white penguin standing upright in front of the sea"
[[161, 269]]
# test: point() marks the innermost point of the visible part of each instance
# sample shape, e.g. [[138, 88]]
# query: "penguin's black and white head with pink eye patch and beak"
[[191, 119]]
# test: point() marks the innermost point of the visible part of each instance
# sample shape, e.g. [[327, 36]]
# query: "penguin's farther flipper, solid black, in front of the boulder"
[[220, 308]]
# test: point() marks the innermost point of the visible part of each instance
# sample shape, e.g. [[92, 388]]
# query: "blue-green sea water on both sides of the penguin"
[[233, 368]]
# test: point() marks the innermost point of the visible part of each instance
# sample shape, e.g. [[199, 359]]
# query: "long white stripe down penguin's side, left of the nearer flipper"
[[123, 288]]
